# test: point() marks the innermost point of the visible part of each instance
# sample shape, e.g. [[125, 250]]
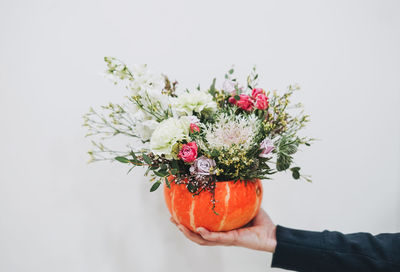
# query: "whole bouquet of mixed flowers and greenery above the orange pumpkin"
[[202, 136]]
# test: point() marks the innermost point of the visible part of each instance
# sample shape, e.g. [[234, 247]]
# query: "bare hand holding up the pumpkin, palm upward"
[[259, 234]]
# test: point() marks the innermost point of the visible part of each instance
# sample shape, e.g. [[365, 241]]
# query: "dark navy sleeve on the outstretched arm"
[[333, 251]]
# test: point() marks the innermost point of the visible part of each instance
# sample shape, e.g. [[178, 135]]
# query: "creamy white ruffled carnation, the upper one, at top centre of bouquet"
[[195, 101]]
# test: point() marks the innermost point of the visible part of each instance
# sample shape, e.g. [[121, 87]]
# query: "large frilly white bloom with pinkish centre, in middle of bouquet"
[[231, 130]]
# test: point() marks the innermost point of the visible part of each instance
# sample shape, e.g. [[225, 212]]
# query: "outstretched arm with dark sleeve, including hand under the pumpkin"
[[306, 250]]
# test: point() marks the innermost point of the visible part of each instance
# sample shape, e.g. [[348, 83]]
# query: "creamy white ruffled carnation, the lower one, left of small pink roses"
[[167, 134]]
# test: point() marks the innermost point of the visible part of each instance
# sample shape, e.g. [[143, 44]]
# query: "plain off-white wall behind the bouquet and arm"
[[58, 213]]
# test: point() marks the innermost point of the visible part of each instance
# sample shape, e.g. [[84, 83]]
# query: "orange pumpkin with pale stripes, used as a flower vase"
[[236, 204]]
